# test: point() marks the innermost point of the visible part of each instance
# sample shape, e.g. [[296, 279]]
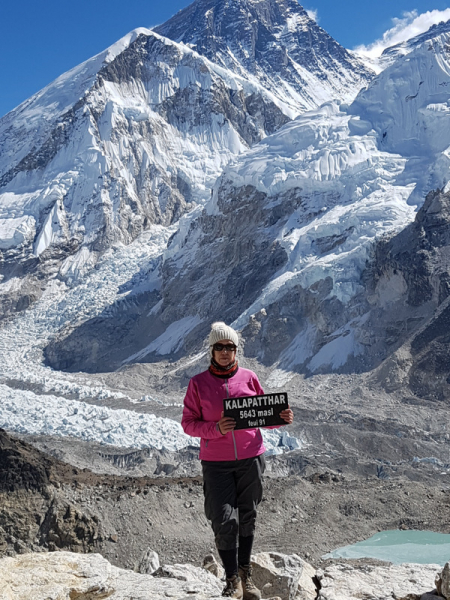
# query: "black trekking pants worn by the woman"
[[233, 490]]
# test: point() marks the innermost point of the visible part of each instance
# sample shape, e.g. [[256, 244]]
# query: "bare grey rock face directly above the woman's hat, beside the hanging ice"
[[233, 262]]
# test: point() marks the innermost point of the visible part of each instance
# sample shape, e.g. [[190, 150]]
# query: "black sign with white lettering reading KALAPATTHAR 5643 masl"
[[256, 411]]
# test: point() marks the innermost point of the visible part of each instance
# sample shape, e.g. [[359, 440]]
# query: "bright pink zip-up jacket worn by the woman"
[[203, 406]]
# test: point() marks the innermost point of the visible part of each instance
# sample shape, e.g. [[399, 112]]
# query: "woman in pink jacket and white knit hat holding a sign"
[[232, 461]]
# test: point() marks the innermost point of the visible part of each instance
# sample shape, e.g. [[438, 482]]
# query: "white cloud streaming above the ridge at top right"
[[404, 28]]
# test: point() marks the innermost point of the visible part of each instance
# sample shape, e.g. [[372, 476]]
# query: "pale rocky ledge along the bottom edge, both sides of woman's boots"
[[66, 576]]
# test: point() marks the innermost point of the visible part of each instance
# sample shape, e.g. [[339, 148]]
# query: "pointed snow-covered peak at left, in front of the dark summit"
[[135, 137]]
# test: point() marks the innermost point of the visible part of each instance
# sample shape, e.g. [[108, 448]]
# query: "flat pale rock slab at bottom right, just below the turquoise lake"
[[378, 582]]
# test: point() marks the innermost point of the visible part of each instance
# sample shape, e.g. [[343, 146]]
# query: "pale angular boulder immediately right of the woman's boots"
[[288, 576]]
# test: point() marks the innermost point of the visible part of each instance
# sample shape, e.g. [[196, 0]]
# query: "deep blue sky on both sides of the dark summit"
[[39, 41]]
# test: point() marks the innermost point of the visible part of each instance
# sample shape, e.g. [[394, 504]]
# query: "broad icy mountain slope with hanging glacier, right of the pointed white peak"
[[284, 246]]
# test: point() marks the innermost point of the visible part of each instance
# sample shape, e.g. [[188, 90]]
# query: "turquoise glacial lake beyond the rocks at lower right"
[[395, 546]]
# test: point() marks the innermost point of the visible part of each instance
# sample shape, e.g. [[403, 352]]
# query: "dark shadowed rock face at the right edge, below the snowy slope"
[[409, 291]]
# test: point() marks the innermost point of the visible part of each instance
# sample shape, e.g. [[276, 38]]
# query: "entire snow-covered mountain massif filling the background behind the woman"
[[154, 189]]
